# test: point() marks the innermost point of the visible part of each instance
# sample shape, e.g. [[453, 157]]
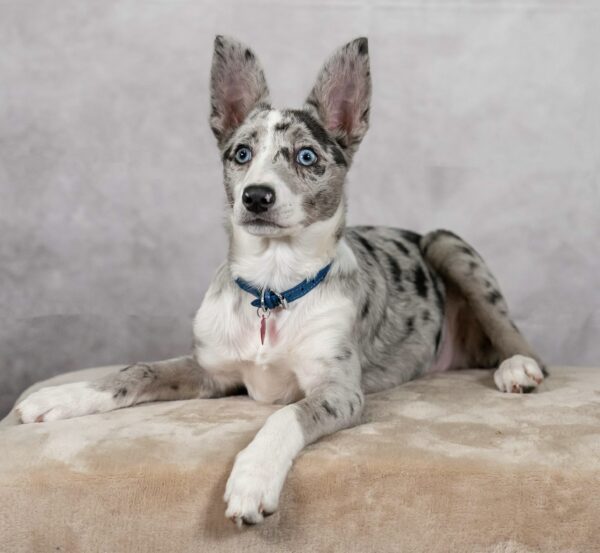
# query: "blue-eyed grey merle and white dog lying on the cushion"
[[307, 312]]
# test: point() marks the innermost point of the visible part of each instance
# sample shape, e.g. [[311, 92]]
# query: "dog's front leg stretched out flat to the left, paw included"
[[178, 378]]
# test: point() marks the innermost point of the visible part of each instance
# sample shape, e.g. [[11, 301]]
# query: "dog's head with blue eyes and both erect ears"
[[284, 170]]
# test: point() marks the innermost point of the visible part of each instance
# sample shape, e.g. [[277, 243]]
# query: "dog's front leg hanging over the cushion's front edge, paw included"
[[259, 471]]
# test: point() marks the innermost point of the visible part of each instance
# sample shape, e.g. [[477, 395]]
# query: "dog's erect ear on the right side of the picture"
[[342, 93]]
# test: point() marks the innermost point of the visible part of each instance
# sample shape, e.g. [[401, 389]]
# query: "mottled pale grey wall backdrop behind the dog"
[[485, 119]]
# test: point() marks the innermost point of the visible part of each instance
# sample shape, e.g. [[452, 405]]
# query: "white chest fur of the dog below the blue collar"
[[227, 331]]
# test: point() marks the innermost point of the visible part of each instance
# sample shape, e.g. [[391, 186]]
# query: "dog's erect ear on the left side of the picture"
[[237, 86]]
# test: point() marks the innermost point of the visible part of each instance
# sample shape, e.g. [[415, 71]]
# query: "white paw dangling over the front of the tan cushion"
[[252, 491]]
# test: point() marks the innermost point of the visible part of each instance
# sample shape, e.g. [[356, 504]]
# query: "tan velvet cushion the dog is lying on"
[[442, 464]]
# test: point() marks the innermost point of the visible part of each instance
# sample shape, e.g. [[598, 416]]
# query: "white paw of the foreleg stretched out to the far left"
[[64, 402]]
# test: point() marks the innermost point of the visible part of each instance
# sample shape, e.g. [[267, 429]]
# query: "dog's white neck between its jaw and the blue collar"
[[280, 263]]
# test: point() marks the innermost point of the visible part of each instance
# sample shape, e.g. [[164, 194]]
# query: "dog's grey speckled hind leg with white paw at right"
[[487, 335]]
